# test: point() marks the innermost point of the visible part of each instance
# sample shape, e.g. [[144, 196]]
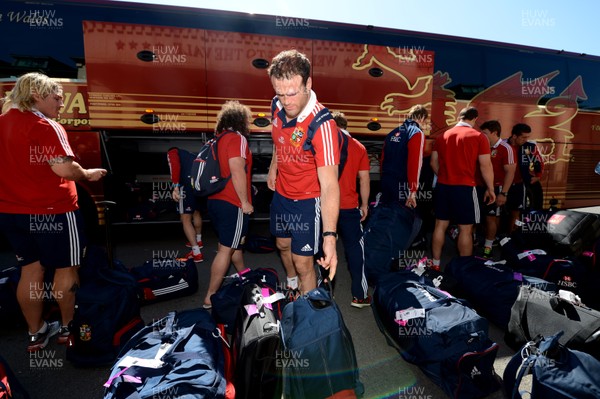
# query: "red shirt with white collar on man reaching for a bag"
[[297, 169]]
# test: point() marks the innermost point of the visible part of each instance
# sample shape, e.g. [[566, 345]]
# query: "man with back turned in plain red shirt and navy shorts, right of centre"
[[454, 159]]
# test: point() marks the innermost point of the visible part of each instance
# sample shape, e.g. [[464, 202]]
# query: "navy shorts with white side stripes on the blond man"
[[56, 240]]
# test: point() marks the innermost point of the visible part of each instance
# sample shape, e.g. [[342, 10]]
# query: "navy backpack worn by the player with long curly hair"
[[205, 175]]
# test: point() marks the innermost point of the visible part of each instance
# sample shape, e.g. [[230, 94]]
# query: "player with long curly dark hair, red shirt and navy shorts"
[[230, 209]]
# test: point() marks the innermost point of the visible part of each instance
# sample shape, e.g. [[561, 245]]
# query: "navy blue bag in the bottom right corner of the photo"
[[558, 372]]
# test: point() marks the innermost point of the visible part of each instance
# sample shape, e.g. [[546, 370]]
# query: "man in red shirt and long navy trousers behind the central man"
[[351, 215]]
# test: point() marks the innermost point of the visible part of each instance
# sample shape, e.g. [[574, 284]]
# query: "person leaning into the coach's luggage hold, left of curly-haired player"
[[188, 205]]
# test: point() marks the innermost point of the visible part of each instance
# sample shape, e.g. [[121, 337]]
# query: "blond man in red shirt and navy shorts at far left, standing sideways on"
[[38, 202]]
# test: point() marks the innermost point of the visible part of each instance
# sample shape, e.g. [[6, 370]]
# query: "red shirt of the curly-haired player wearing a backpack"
[[234, 145]]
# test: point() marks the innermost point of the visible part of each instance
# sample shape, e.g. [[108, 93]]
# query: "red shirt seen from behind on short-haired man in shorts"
[[458, 152]]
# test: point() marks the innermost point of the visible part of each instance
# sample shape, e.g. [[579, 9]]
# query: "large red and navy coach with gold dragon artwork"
[[144, 78]]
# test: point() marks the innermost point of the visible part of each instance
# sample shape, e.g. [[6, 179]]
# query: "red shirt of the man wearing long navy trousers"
[[357, 160]]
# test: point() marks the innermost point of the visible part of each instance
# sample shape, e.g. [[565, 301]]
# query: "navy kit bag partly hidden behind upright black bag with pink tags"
[[227, 301]]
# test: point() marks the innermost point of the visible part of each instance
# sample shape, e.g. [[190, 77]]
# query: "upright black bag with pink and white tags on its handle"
[[256, 345]]
